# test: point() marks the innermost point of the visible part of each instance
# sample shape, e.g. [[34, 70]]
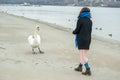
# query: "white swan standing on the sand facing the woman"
[[35, 40]]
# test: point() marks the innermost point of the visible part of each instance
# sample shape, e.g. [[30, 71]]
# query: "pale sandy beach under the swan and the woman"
[[60, 58]]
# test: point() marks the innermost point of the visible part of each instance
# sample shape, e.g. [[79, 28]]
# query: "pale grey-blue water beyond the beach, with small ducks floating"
[[106, 21]]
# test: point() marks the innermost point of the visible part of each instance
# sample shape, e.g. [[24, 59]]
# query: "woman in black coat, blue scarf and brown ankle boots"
[[83, 38]]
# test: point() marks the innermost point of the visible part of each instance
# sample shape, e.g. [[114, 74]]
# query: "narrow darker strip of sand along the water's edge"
[[68, 29]]
